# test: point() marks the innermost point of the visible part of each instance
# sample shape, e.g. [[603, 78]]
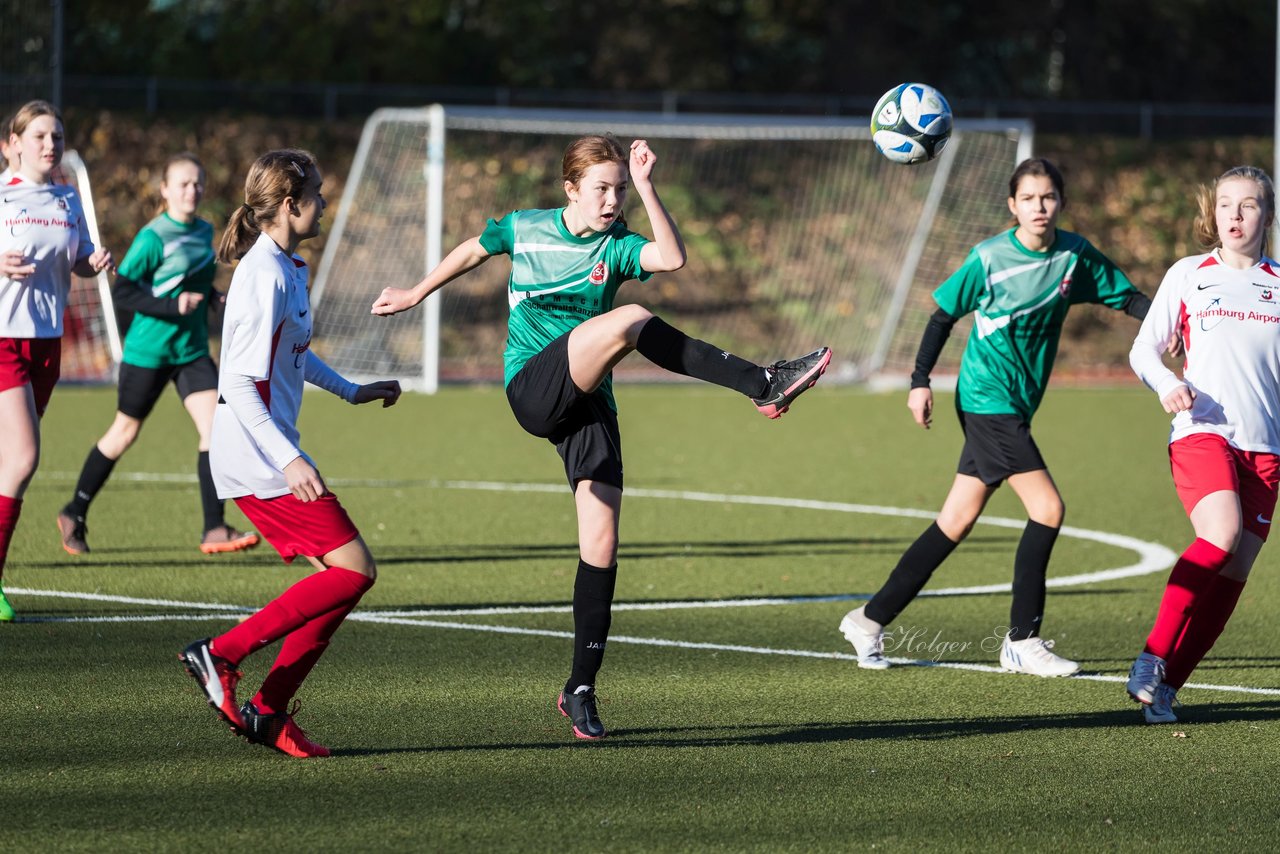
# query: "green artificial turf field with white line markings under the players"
[[732, 728]]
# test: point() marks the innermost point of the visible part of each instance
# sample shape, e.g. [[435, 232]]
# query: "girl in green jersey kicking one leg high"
[[564, 341]]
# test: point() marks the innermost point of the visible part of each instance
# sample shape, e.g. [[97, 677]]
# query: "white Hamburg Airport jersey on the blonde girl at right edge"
[[1229, 322]]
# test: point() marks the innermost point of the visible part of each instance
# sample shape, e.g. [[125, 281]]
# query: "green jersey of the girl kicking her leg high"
[[559, 280]]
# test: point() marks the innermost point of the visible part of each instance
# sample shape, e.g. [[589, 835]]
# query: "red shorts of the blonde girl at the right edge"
[[1204, 463]]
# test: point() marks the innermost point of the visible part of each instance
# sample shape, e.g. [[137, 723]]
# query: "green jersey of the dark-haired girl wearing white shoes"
[[1020, 300]]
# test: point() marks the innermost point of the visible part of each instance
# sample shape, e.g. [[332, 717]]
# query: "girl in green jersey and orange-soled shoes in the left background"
[[167, 280]]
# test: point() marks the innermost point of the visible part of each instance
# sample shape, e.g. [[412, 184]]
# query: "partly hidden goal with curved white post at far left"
[[92, 339]]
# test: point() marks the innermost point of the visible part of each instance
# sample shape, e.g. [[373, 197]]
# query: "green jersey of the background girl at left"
[[171, 258]]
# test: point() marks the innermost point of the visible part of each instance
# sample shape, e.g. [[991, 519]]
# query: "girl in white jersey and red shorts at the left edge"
[[44, 240]]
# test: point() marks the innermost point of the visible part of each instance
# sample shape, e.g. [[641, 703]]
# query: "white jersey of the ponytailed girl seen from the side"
[[267, 335]]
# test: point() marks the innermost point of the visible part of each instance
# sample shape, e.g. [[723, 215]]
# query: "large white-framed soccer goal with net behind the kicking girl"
[[799, 234]]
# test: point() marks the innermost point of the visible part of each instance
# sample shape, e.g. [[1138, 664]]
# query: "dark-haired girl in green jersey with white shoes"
[[1020, 285]]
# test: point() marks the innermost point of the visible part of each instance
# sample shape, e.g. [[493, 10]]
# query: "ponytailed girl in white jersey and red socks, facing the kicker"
[[257, 462]]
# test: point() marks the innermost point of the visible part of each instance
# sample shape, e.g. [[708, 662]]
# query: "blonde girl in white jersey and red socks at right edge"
[[1224, 447]]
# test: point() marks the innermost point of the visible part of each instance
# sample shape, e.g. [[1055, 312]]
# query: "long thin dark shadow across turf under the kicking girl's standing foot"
[[835, 733]]
